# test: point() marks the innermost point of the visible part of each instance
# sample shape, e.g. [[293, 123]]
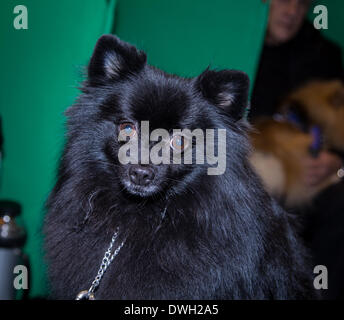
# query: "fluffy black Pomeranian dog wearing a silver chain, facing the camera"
[[182, 233]]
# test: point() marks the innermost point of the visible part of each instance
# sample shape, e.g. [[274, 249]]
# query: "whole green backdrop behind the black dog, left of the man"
[[41, 68]]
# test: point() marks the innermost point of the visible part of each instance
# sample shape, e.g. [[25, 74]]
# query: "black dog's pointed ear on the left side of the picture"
[[114, 59]]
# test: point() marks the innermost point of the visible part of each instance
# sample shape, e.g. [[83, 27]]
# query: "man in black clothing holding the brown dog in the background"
[[294, 53]]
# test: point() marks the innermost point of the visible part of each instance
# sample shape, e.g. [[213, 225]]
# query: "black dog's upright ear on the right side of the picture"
[[227, 89]]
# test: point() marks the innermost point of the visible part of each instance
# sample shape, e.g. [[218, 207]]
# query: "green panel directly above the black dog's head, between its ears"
[[185, 36]]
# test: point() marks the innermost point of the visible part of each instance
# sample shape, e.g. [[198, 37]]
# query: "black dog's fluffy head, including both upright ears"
[[127, 100]]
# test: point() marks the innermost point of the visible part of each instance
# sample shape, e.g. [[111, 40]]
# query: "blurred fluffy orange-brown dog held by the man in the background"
[[279, 147]]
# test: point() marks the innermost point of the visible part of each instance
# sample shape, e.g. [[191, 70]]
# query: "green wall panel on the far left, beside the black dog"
[[40, 69]]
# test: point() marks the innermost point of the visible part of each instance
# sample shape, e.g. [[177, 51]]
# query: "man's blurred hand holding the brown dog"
[[316, 170]]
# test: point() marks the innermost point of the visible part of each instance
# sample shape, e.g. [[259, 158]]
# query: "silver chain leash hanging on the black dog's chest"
[[107, 259]]
